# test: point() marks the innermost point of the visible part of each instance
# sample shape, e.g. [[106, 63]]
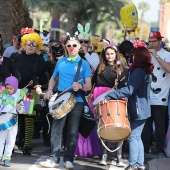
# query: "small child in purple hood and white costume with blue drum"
[[10, 105]]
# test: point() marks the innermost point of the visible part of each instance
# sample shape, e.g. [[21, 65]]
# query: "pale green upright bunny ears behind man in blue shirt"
[[83, 32]]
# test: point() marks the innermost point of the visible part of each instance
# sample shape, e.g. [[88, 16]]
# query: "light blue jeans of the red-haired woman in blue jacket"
[[136, 150]]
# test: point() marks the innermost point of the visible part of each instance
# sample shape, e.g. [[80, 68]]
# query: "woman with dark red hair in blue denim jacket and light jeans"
[[137, 91]]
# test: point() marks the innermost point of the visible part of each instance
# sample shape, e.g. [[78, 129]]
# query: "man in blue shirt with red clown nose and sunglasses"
[[65, 73]]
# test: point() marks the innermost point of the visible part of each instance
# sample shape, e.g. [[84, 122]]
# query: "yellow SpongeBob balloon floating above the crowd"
[[129, 18]]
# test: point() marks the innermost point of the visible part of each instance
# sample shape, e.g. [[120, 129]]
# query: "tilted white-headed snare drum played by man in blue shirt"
[[61, 105]]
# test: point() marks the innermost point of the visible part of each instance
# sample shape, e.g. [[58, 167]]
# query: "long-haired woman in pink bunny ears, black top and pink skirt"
[[109, 71]]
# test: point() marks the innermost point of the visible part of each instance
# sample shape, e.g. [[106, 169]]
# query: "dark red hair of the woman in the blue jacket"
[[142, 59]]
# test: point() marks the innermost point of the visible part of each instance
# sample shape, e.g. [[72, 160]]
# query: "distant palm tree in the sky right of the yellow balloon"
[[143, 6]]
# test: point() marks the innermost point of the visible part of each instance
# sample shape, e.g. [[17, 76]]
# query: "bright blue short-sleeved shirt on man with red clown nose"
[[66, 70]]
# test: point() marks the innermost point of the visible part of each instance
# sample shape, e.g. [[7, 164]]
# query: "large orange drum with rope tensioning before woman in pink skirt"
[[113, 120]]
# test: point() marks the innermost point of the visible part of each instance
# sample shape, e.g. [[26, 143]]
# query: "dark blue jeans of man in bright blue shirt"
[[73, 121]]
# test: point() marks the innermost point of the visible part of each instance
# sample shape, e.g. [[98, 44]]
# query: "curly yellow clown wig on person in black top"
[[32, 37]]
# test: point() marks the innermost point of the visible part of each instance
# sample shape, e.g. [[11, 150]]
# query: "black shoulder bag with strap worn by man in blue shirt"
[[87, 121]]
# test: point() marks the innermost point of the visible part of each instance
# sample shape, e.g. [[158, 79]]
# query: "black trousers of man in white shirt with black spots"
[[158, 114]]
